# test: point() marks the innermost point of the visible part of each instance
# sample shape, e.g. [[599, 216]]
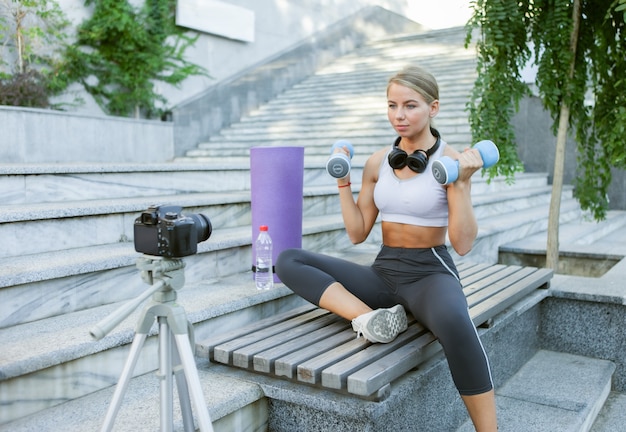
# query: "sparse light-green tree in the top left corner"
[[33, 34]]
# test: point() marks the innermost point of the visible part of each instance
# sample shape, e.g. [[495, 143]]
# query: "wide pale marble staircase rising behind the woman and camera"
[[69, 261]]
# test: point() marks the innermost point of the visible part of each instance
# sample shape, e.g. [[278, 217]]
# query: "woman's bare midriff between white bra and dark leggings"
[[412, 236]]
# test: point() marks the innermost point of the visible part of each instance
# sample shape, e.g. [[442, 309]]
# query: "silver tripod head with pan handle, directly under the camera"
[[165, 275]]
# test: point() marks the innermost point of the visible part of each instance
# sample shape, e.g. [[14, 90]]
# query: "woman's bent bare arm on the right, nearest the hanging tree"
[[462, 225]]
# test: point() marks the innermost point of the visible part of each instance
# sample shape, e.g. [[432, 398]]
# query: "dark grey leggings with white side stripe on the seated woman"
[[424, 281]]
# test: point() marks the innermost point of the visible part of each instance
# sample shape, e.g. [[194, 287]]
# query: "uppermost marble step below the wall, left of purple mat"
[[45, 183]]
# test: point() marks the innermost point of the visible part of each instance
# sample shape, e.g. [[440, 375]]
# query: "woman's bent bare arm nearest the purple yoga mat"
[[359, 217]]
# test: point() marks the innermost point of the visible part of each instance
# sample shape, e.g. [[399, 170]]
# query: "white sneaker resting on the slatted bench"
[[381, 325]]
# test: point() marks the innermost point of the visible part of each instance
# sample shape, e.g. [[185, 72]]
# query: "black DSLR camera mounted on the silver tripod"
[[165, 231]]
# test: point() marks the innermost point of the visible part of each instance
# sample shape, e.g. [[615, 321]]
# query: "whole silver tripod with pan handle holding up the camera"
[[165, 275]]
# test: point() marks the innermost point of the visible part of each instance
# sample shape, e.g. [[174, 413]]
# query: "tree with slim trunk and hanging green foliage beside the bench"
[[579, 47]]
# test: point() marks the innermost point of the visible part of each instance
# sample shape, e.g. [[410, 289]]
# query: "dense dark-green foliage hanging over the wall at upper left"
[[121, 52]]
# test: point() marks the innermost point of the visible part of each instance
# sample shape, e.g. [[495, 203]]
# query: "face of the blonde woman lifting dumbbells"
[[408, 111]]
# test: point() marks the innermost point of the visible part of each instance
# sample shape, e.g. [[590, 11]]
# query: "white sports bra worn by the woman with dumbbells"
[[419, 200]]
